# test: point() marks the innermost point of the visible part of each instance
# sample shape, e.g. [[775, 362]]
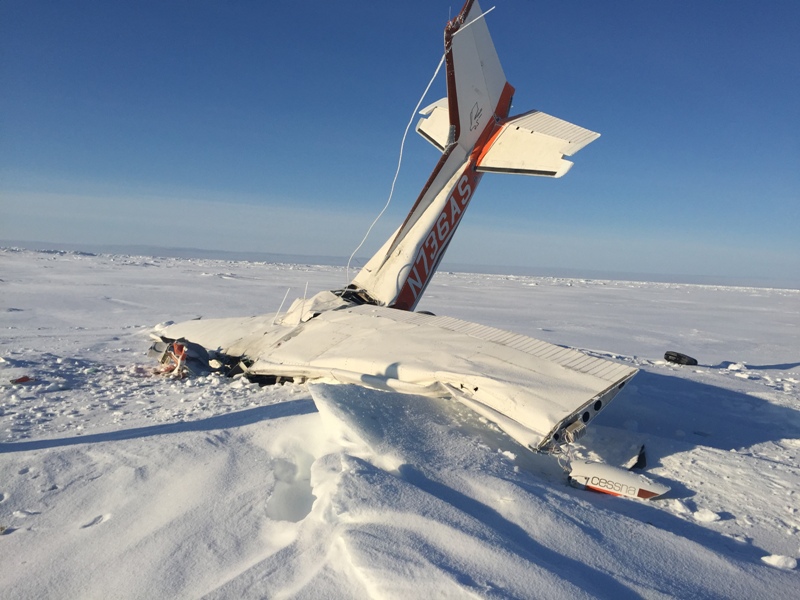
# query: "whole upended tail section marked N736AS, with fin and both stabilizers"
[[471, 129]]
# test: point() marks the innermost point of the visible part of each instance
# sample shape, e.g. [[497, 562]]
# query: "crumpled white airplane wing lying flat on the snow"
[[538, 393]]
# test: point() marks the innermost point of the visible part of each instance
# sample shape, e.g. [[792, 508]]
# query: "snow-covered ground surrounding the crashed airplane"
[[117, 483]]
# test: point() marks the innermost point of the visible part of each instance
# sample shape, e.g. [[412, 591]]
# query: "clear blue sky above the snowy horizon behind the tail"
[[275, 127]]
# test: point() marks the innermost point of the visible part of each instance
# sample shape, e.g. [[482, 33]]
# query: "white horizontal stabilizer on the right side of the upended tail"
[[534, 144]]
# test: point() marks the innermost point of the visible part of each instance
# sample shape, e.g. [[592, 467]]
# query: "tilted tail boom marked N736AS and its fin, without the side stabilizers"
[[477, 97]]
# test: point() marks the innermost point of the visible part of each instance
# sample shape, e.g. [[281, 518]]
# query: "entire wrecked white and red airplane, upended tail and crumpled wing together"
[[540, 394]]
